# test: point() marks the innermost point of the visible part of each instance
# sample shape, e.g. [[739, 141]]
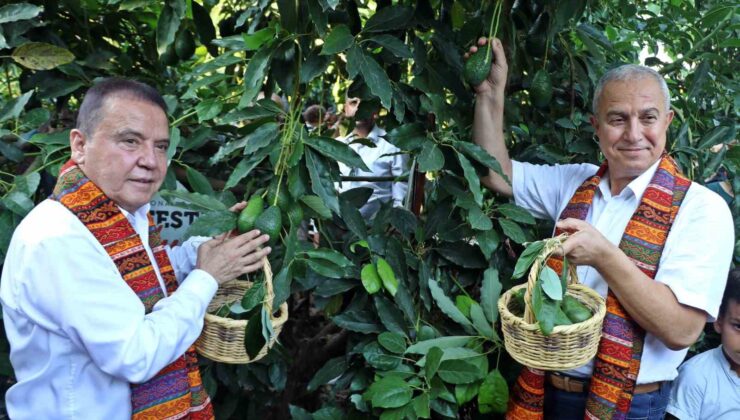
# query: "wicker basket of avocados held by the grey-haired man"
[[567, 346]]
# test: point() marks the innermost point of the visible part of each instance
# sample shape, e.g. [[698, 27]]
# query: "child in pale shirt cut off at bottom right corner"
[[708, 385]]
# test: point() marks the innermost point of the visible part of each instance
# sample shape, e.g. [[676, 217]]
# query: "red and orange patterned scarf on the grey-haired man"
[[620, 349]]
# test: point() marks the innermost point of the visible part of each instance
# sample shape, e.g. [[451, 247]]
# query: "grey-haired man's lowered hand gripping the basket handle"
[[585, 245]]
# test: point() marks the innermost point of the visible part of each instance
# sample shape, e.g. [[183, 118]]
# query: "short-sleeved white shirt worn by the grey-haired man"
[[695, 259]]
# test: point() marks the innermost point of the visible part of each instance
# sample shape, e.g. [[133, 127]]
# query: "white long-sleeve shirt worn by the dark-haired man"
[[78, 333]]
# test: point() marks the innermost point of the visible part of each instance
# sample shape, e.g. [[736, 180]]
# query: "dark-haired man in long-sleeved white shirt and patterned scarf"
[[86, 340]]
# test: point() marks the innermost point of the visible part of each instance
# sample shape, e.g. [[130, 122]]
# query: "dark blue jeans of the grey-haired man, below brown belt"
[[563, 405]]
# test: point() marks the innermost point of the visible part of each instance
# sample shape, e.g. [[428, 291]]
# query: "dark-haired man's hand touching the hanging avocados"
[[228, 257]]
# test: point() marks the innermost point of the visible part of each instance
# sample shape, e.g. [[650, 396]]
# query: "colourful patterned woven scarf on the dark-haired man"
[[176, 392]]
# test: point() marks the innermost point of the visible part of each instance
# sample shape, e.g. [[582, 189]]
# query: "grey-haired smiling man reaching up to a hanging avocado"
[[631, 118]]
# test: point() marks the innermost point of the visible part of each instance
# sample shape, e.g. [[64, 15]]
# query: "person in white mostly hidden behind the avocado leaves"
[[382, 158]]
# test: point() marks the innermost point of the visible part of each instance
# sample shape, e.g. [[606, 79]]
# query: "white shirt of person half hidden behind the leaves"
[[384, 159]]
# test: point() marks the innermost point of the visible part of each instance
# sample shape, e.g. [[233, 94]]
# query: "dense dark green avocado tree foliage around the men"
[[394, 317]]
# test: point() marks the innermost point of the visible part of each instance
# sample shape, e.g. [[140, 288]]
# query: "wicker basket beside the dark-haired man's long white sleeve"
[[222, 339]]
